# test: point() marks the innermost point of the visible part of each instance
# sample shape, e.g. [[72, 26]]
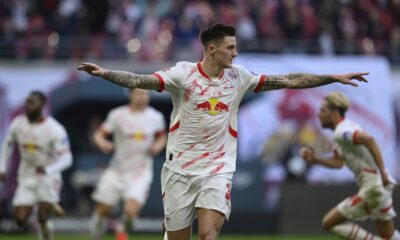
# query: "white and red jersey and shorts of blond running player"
[[373, 200]]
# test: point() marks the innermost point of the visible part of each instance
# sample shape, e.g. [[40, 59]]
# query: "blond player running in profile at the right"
[[358, 150]]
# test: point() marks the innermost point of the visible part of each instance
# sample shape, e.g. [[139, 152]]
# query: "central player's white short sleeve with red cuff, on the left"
[[171, 78]]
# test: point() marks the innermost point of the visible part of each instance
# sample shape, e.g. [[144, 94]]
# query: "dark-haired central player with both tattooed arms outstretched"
[[201, 151]]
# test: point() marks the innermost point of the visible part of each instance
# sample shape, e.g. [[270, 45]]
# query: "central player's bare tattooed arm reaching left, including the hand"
[[122, 78]]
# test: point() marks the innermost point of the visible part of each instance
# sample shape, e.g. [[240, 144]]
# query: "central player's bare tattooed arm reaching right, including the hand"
[[301, 80]]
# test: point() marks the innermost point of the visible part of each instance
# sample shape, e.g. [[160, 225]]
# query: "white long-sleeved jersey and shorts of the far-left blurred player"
[[40, 144]]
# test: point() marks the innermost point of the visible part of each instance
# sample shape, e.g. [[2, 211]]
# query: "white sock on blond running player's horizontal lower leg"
[[352, 231]]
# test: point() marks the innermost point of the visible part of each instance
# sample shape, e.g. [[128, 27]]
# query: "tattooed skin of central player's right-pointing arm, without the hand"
[[296, 80]]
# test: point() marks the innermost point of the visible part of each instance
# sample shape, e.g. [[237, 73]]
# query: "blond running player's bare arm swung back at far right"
[[369, 142]]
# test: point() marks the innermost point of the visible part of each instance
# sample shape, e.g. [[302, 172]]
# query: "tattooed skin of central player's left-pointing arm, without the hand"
[[132, 80]]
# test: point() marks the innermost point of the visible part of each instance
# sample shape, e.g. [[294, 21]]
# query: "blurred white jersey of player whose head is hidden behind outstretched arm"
[[133, 134]]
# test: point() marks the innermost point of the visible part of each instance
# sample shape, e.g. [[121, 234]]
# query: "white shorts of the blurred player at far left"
[[35, 189]]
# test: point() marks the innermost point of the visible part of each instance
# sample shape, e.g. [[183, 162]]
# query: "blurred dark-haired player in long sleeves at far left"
[[44, 152]]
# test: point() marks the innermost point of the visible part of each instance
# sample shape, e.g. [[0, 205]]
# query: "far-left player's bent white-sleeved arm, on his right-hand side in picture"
[[61, 153]]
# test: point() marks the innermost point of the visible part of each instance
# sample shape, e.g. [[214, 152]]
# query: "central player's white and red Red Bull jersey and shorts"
[[201, 149]]
